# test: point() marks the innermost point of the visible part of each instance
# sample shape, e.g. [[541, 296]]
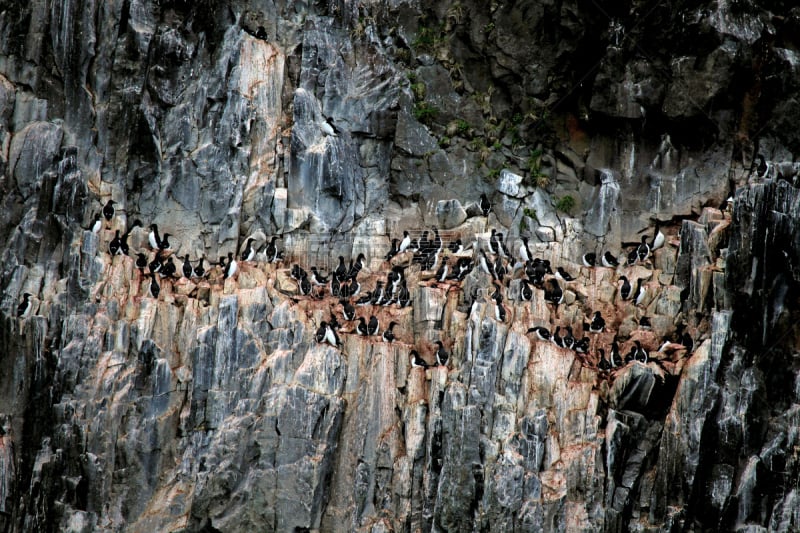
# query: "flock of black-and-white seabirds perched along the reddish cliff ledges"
[[343, 283]]
